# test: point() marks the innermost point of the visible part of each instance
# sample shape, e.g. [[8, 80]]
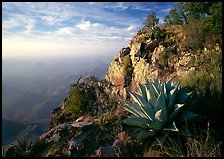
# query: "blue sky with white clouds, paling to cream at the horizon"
[[73, 29]]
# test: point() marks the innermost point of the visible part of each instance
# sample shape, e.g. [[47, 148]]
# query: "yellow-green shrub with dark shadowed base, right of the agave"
[[207, 89]]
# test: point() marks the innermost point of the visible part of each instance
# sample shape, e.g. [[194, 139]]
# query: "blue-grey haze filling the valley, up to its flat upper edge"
[[32, 88]]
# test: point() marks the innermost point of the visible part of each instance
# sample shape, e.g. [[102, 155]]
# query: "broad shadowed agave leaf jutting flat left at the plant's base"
[[139, 122]]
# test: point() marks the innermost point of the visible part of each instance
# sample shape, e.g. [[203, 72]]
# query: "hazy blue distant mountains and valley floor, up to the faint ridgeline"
[[31, 98]]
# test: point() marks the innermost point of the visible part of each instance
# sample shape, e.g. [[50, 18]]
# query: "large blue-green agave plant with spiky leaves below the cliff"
[[159, 107]]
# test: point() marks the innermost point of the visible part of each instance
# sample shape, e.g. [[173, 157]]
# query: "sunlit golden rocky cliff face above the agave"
[[161, 57]]
